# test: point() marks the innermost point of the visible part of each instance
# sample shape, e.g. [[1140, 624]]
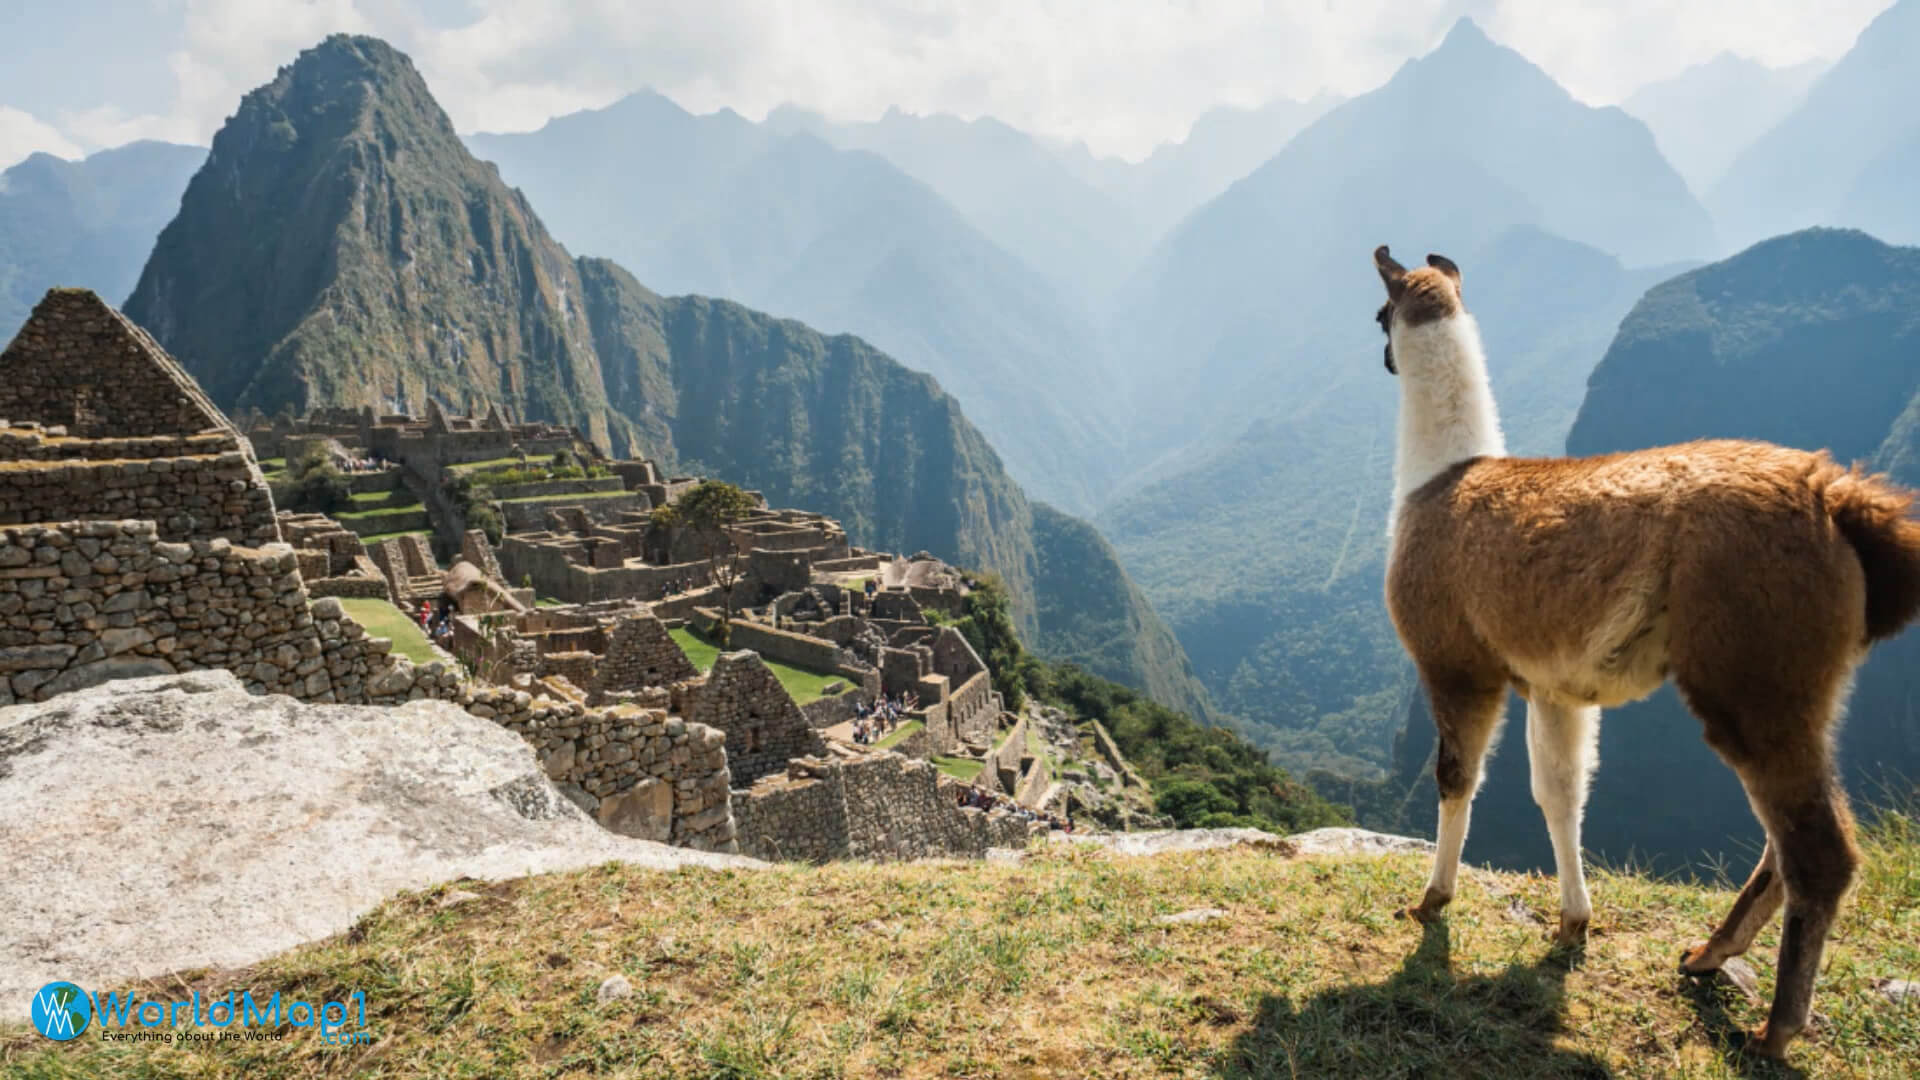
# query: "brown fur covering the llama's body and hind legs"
[[1748, 574]]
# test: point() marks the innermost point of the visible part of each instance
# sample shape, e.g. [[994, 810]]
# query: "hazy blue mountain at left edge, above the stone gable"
[[85, 224]]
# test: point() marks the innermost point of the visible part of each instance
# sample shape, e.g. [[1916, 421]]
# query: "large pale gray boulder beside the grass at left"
[[164, 823]]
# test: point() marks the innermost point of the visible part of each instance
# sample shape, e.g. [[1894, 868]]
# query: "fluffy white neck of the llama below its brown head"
[[1447, 403]]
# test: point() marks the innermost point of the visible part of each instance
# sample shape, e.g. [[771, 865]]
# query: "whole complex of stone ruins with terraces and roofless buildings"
[[771, 689]]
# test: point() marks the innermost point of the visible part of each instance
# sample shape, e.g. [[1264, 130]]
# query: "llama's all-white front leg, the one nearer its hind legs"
[[1562, 750]]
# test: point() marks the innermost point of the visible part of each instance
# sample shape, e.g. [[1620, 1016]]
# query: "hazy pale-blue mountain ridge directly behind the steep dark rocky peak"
[[846, 241]]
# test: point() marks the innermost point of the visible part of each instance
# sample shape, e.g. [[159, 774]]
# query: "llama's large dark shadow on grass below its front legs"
[[1424, 1021]]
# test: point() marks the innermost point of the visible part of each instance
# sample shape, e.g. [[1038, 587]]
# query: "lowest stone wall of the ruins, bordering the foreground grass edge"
[[876, 808]]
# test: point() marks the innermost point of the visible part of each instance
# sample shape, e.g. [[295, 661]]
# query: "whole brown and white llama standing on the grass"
[[1752, 576]]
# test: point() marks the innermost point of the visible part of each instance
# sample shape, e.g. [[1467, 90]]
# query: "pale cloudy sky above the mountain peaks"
[[1120, 76]]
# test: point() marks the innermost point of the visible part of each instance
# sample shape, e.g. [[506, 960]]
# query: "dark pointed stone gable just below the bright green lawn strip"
[[763, 727]]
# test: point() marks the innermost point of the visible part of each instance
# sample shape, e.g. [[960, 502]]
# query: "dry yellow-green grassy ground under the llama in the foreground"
[[1059, 968]]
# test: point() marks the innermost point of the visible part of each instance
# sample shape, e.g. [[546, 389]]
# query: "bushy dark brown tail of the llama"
[[1875, 520]]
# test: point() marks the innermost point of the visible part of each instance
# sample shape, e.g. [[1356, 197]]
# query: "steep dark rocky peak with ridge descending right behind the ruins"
[[343, 249]]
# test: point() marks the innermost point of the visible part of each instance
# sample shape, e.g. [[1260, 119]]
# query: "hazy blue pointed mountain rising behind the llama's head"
[[1239, 310]]
